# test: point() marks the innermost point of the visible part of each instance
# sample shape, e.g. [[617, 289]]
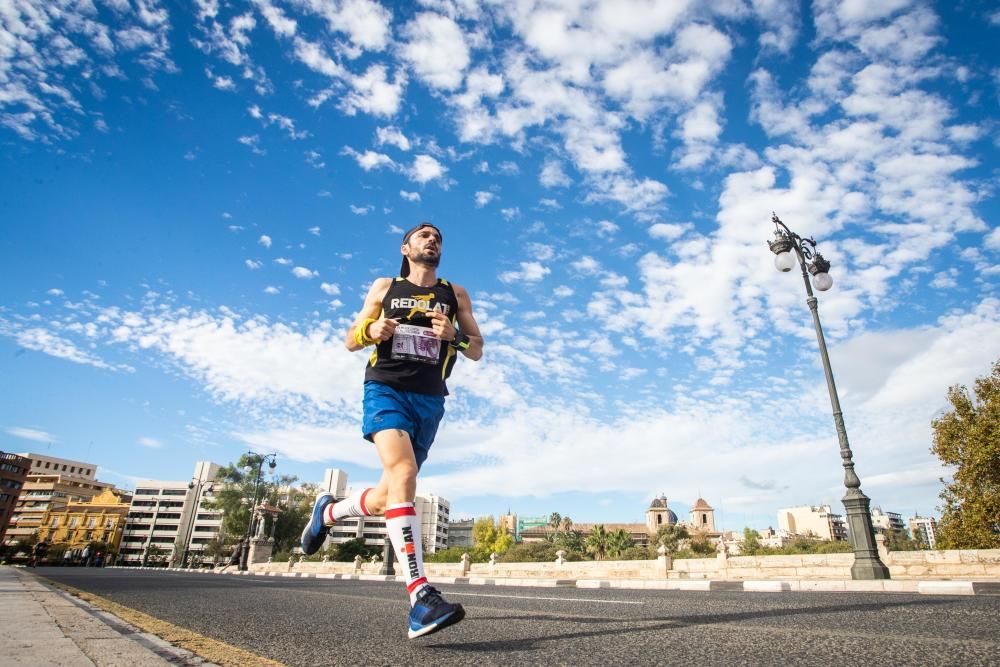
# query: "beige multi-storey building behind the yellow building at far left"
[[52, 483]]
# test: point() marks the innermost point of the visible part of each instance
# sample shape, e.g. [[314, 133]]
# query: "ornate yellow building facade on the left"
[[99, 519]]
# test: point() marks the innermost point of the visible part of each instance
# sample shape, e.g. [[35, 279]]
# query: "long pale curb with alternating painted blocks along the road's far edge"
[[932, 587]]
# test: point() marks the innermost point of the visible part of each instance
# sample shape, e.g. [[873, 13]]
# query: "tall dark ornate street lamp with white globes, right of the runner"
[[786, 242]]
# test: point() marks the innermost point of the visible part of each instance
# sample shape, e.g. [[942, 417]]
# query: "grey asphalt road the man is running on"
[[336, 622]]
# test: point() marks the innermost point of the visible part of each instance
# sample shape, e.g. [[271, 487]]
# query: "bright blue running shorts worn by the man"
[[417, 414]]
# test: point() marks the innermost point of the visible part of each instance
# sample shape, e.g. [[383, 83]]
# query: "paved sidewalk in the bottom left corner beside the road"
[[40, 626]]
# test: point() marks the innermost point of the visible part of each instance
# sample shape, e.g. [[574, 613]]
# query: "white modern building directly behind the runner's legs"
[[434, 512]]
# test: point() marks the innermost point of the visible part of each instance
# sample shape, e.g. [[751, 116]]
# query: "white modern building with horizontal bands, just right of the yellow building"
[[169, 520]]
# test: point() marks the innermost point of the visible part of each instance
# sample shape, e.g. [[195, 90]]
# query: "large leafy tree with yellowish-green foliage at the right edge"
[[967, 438]]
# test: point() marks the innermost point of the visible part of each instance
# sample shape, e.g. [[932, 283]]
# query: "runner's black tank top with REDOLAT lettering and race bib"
[[414, 359]]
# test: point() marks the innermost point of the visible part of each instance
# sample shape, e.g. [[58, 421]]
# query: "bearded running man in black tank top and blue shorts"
[[418, 324]]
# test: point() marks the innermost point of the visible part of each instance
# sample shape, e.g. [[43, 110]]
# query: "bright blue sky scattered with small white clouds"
[[195, 197]]
